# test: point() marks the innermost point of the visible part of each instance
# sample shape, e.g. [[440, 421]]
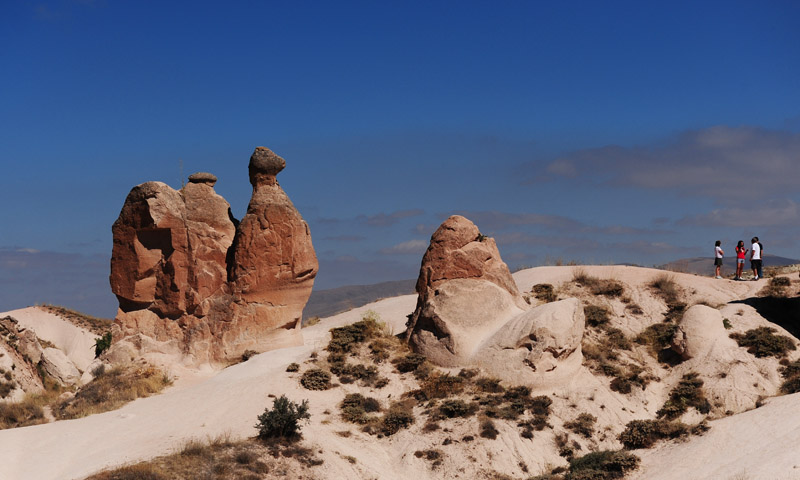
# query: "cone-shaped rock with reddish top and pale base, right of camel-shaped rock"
[[465, 291]]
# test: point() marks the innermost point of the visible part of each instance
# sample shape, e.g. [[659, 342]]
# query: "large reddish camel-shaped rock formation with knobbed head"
[[197, 282]]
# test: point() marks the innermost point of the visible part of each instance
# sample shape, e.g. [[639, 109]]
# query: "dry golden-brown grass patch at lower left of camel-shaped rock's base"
[[113, 389]]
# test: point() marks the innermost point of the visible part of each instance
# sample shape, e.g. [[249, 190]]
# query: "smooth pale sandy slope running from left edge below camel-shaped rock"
[[228, 402]]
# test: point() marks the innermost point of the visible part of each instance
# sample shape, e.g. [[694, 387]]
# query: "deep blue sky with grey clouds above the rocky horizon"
[[590, 131]]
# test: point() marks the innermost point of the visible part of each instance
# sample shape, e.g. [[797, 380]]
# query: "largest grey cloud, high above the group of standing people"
[[728, 164]]
